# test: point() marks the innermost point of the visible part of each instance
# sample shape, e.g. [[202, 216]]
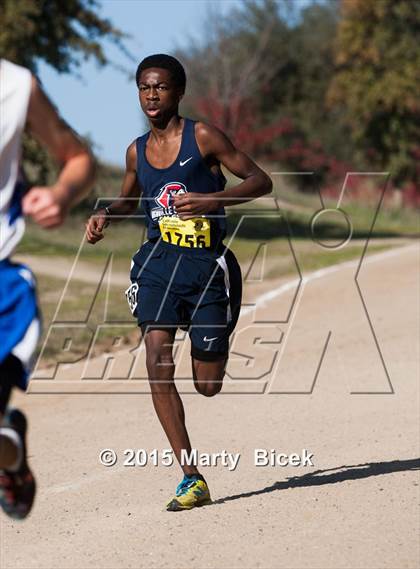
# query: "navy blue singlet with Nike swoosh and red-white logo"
[[189, 173]]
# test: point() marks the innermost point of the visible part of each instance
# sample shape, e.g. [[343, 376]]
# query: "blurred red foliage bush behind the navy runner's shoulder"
[[283, 143]]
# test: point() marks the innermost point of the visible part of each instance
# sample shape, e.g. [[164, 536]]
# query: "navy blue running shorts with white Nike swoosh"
[[198, 290]]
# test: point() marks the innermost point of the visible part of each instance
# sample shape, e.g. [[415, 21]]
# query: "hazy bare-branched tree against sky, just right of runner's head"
[[227, 71]]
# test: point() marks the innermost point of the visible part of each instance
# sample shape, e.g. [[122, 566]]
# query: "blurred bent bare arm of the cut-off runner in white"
[[48, 205]]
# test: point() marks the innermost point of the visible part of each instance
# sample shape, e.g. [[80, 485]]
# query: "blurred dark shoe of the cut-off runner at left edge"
[[17, 489]]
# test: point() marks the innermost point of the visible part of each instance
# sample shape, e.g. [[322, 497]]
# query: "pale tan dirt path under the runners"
[[356, 508]]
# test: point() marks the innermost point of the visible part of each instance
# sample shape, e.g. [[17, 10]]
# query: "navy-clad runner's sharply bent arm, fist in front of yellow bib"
[[215, 144]]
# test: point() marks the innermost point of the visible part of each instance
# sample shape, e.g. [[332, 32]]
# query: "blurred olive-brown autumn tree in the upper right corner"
[[377, 83]]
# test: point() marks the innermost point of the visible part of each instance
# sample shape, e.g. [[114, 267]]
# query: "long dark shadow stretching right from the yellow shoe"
[[331, 476]]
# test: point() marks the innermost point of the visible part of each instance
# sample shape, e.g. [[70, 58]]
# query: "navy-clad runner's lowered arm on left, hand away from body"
[[125, 205]]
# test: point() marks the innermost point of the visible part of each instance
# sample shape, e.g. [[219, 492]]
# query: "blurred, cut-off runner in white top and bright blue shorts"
[[23, 103]]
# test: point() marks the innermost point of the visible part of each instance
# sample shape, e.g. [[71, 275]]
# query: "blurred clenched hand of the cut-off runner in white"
[[45, 207]]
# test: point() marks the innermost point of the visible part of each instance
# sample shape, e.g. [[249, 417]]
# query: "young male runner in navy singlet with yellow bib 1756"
[[182, 276]]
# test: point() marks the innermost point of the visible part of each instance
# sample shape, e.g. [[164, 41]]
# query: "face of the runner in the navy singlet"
[[158, 95]]
